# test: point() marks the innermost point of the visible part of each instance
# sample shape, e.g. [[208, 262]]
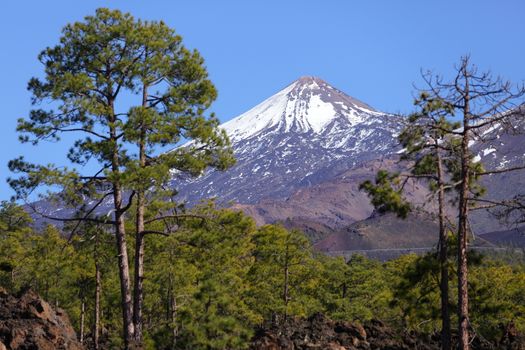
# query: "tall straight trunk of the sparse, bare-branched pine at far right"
[[463, 315]]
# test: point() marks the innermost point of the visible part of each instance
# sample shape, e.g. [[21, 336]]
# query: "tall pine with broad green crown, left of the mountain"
[[98, 67]]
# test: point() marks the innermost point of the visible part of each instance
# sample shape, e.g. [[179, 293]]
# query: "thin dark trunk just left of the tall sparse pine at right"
[[443, 259]]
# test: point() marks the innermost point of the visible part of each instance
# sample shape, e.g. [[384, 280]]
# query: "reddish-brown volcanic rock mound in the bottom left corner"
[[28, 322]]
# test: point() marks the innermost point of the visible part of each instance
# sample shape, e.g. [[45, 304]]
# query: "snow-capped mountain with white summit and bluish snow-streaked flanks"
[[304, 134]]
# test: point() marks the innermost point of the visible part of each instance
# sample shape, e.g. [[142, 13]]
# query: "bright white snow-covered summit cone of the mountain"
[[309, 104]]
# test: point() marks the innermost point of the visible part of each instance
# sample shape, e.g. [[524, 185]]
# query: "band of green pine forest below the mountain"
[[212, 284]]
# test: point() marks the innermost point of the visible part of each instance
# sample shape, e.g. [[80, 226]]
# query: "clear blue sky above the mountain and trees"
[[372, 50]]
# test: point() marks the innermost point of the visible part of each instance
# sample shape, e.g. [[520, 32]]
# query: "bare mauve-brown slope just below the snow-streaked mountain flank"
[[332, 205]]
